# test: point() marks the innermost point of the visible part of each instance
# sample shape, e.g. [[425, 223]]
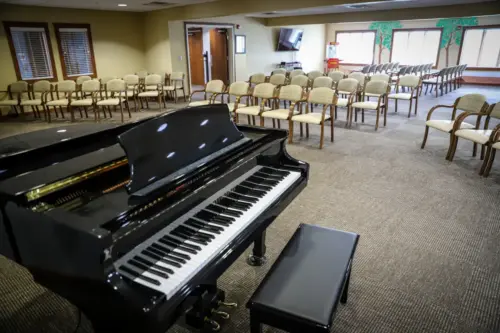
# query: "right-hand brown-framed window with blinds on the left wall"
[[75, 50]]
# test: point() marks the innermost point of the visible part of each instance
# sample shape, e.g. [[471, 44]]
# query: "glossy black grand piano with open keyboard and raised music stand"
[[137, 233]]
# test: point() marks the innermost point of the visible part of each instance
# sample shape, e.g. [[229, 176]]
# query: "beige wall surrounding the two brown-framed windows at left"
[[117, 38]]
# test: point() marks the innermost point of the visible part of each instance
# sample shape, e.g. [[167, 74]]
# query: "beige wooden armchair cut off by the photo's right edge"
[[478, 136]]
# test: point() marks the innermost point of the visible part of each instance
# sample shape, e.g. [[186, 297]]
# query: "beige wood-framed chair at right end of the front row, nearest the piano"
[[322, 96]]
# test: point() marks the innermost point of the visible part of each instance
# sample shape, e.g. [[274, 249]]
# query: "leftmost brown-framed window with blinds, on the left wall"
[[31, 52]]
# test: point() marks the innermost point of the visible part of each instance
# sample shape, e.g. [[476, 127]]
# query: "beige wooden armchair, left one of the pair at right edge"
[[468, 103]]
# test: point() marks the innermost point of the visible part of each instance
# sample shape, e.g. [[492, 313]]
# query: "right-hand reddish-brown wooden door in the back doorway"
[[219, 52]]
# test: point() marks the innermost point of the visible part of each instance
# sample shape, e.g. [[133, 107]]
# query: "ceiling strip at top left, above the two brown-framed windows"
[[132, 5]]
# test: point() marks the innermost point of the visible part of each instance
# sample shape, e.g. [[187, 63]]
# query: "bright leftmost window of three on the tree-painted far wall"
[[356, 47]]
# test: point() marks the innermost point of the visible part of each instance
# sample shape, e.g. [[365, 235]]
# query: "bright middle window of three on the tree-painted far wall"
[[415, 46]]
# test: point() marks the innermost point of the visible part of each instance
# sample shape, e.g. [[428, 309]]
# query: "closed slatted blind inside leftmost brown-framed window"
[[32, 53]]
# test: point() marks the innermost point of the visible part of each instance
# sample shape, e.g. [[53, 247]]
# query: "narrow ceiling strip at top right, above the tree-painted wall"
[[366, 6]]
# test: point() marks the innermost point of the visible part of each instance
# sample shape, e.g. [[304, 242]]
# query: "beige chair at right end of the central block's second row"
[[380, 89]]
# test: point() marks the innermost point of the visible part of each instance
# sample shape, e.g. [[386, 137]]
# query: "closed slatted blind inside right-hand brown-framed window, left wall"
[[75, 46]]
